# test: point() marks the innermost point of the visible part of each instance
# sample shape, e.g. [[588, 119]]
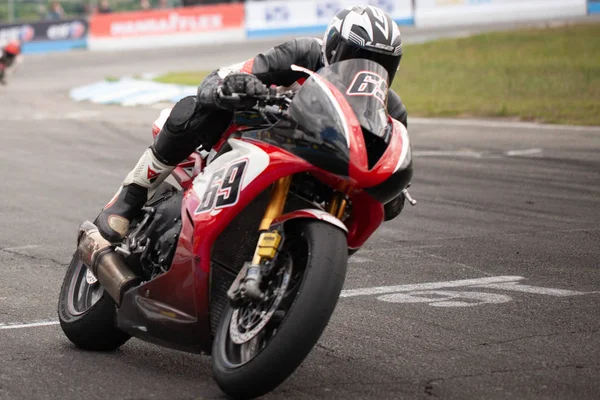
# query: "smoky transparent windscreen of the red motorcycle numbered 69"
[[321, 136]]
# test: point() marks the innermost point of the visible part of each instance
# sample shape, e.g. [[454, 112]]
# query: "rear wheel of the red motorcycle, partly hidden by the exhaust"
[[86, 312]]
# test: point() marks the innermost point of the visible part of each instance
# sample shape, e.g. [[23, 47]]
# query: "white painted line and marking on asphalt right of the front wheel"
[[440, 294]]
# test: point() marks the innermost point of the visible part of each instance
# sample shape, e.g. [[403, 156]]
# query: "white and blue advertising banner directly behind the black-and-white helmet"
[[289, 17]]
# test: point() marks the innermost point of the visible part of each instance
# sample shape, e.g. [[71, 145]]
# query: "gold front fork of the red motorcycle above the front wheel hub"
[[247, 283]]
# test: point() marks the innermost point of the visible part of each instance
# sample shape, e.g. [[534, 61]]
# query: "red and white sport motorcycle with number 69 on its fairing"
[[247, 261]]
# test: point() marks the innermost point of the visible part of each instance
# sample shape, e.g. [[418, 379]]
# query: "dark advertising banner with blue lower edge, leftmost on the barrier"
[[47, 36]]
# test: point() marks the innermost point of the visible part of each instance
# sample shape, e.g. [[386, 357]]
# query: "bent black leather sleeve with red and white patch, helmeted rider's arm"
[[272, 67]]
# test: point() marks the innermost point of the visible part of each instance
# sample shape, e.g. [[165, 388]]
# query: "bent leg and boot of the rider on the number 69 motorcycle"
[[188, 125]]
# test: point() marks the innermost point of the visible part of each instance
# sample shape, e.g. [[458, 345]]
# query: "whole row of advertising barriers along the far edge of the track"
[[270, 18]]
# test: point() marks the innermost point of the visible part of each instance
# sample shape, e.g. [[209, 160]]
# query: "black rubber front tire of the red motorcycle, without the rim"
[[324, 255]]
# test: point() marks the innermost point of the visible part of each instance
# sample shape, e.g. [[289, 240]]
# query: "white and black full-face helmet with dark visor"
[[364, 32]]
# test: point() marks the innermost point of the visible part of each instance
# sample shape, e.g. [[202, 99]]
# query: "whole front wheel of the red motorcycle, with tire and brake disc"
[[258, 346]]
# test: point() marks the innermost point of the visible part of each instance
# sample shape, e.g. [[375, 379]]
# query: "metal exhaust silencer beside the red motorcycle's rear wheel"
[[106, 264]]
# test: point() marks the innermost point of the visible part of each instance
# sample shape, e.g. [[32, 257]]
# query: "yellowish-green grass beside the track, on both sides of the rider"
[[549, 75]]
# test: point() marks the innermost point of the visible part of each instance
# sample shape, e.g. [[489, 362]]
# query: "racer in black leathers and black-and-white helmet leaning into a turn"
[[356, 32]]
